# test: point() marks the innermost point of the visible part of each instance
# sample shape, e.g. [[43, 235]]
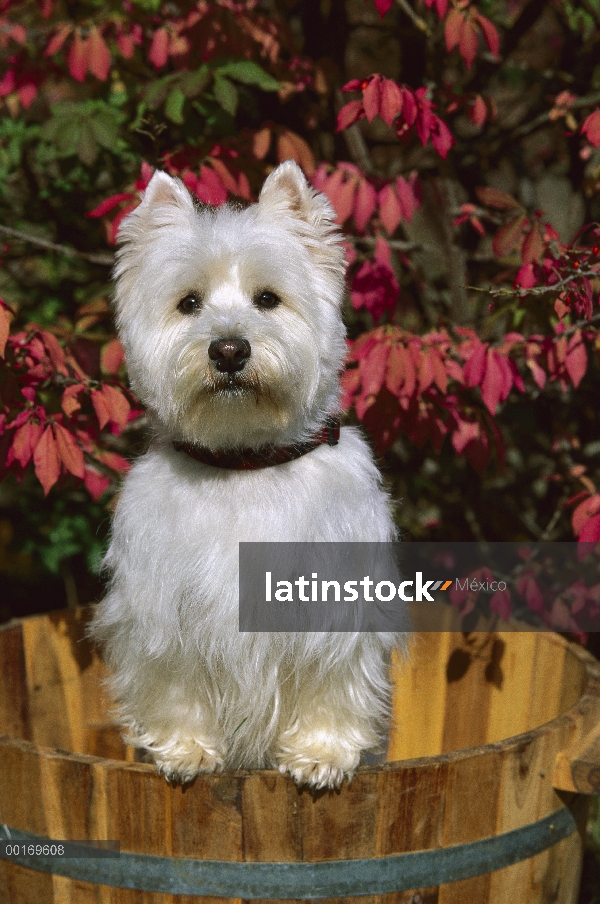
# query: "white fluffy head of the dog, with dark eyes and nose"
[[230, 318]]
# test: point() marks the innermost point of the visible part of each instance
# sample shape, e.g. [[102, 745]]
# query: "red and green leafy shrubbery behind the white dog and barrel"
[[459, 143]]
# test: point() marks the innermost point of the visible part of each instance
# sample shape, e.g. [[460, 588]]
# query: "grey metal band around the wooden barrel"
[[335, 878]]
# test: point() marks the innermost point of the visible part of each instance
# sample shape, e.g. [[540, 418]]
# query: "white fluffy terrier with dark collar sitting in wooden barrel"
[[231, 323]]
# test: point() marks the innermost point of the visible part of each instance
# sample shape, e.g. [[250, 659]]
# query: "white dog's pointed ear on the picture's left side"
[[166, 201]]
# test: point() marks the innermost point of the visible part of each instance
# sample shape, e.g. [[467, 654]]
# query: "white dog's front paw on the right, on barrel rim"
[[317, 761]]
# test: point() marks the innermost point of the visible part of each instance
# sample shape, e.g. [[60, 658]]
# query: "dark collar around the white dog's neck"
[[253, 459]]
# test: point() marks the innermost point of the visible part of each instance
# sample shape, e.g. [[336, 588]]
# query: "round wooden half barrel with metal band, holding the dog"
[[495, 734]]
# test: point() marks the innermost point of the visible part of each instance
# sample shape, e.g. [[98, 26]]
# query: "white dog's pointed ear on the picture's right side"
[[287, 193]]
